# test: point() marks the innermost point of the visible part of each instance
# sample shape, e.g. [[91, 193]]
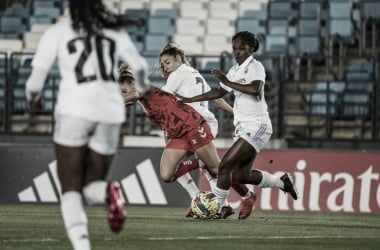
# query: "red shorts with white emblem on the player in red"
[[193, 140]]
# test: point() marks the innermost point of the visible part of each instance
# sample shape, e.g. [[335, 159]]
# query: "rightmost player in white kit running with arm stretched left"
[[253, 126]]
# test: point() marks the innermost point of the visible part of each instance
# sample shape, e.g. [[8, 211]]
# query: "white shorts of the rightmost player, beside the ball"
[[255, 134]]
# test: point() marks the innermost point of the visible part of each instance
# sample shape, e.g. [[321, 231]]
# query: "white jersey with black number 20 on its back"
[[88, 69]]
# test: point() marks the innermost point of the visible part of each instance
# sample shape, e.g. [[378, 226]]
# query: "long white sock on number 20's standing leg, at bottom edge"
[[75, 220]]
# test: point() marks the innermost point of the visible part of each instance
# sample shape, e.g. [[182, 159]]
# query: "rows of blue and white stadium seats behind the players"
[[295, 37]]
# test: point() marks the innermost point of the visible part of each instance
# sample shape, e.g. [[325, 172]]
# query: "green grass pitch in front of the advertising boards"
[[40, 227]]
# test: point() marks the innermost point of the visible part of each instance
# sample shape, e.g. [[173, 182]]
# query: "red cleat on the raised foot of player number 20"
[[115, 209]]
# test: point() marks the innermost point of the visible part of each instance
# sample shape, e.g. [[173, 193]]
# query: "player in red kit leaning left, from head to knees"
[[186, 130]]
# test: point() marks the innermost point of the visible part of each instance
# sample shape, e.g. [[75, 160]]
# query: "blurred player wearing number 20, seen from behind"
[[89, 109]]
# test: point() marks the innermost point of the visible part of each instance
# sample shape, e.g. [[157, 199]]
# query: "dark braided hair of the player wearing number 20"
[[90, 16]]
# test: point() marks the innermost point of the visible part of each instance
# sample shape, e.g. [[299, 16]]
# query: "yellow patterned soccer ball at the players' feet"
[[205, 205]]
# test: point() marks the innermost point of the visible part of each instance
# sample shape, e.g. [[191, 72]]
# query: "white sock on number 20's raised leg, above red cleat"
[[95, 192]]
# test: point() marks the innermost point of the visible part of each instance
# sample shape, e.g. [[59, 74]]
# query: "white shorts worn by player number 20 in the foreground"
[[74, 131]]
